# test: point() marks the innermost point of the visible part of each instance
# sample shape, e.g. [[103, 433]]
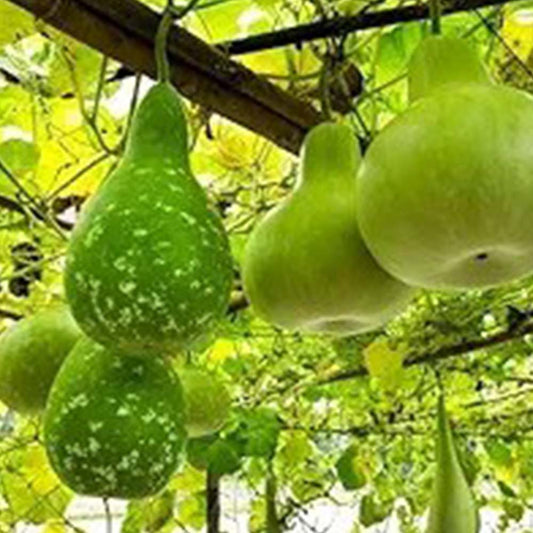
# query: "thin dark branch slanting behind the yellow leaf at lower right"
[[508, 335]]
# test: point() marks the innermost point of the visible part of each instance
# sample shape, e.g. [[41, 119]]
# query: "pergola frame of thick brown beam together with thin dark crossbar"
[[205, 73]]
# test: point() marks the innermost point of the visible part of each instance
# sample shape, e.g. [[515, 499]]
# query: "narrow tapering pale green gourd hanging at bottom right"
[[453, 509]]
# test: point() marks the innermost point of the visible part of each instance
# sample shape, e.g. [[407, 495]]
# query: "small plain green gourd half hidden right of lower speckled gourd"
[[207, 402]]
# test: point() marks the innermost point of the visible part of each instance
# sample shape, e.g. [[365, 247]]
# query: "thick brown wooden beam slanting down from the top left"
[[125, 31]]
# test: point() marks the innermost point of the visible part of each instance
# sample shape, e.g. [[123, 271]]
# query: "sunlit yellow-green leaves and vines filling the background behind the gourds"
[[298, 434]]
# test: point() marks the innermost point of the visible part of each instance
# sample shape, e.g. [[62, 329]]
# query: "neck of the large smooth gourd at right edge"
[[439, 61]]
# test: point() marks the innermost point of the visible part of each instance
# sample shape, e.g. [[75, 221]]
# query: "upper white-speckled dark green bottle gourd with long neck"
[[148, 265]]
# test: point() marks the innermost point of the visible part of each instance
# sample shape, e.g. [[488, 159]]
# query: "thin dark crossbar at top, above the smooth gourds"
[[343, 25]]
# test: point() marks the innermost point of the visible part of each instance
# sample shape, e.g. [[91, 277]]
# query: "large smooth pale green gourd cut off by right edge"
[[445, 190]]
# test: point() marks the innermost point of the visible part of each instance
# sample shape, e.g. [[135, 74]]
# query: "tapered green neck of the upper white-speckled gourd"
[[159, 127]]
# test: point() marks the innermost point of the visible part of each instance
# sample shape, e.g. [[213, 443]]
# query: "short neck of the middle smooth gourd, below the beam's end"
[[330, 155]]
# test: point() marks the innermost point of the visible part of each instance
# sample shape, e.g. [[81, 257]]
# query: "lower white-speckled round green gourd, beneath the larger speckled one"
[[114, 424]]
